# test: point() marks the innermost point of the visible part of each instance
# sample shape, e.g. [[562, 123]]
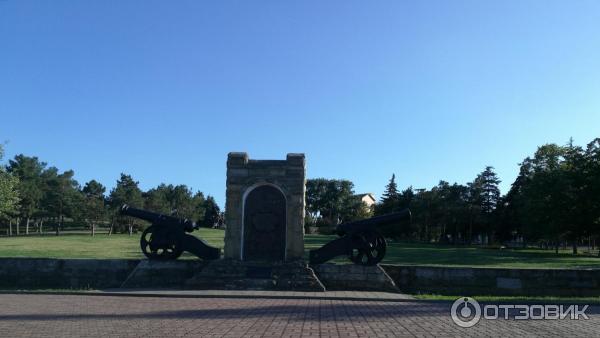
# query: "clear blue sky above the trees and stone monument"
[[428, 90]]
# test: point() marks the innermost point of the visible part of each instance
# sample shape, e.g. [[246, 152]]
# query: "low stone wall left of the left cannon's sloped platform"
[[42, 273]]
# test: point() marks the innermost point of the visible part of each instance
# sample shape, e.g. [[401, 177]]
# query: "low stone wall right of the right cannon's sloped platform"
[[495, 281]]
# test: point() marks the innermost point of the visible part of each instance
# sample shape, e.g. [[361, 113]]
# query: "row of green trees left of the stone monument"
[[34, 197]]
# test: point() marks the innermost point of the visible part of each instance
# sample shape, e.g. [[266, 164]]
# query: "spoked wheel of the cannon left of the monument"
[[165, 245]]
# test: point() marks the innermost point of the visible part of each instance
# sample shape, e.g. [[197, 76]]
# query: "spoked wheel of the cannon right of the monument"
[[368, 248]]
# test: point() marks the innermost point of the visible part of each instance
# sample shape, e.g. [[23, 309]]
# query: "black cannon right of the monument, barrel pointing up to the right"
[[359, 240]]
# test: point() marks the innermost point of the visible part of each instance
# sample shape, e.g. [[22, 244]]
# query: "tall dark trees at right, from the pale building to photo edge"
[[554, 200]]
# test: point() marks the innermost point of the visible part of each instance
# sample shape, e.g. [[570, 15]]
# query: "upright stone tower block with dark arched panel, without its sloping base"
[[265, 202]]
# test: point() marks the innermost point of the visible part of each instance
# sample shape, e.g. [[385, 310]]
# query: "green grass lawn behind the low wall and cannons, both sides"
[[124, 246]]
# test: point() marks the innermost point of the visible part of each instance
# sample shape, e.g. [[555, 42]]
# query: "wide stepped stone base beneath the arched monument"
[[237, 275]]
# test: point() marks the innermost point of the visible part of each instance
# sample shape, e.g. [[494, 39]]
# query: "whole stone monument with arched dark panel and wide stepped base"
[[264, 234]]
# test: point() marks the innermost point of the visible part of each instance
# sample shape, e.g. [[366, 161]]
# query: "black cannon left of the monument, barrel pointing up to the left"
[[166, 238]]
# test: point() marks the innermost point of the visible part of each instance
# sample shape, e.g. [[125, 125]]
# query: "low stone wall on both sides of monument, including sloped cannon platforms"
[[40, 273]]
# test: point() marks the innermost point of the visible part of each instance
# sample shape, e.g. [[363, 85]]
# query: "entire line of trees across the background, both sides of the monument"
[[554, 200]]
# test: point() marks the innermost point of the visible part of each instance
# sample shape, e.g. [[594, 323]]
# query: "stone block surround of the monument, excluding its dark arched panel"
[[243, 175]]
